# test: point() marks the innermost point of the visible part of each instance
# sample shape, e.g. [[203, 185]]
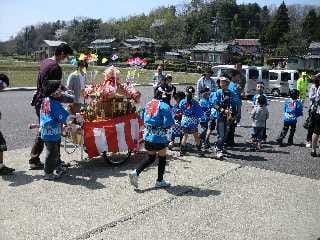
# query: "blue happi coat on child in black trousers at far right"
[[292, 110]]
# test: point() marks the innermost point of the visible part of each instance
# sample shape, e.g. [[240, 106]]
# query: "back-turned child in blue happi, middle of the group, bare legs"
[[191, 113]]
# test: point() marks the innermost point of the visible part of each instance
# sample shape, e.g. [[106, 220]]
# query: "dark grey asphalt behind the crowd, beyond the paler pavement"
[[296, 160]]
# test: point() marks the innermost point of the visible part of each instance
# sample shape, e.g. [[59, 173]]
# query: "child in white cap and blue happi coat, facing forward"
[[224, 110]]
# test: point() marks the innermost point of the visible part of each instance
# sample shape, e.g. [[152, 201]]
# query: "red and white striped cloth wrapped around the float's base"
[[113, 135]]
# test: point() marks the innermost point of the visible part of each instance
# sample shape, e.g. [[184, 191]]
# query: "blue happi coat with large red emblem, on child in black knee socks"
[[157, 117]]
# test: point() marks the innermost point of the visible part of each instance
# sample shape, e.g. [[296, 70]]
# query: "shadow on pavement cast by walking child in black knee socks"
[[182, 190]]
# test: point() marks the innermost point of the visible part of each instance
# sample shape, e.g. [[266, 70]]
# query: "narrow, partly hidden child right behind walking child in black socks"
[[176, 130]]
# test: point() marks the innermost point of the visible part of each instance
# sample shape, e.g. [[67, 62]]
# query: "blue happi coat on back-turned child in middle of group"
[[191, 113]]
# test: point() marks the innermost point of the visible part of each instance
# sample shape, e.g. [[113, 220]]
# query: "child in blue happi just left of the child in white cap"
[[207, 125]]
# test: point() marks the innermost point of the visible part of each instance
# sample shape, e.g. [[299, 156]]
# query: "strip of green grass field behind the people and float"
[[23, 74]]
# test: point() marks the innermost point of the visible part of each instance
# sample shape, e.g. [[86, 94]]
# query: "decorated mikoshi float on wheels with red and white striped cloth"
[[111, 123]]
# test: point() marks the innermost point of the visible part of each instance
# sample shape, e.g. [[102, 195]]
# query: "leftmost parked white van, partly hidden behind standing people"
[[249, 72]]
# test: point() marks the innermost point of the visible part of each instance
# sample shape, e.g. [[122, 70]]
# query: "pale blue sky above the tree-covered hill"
[[18, 13]]
